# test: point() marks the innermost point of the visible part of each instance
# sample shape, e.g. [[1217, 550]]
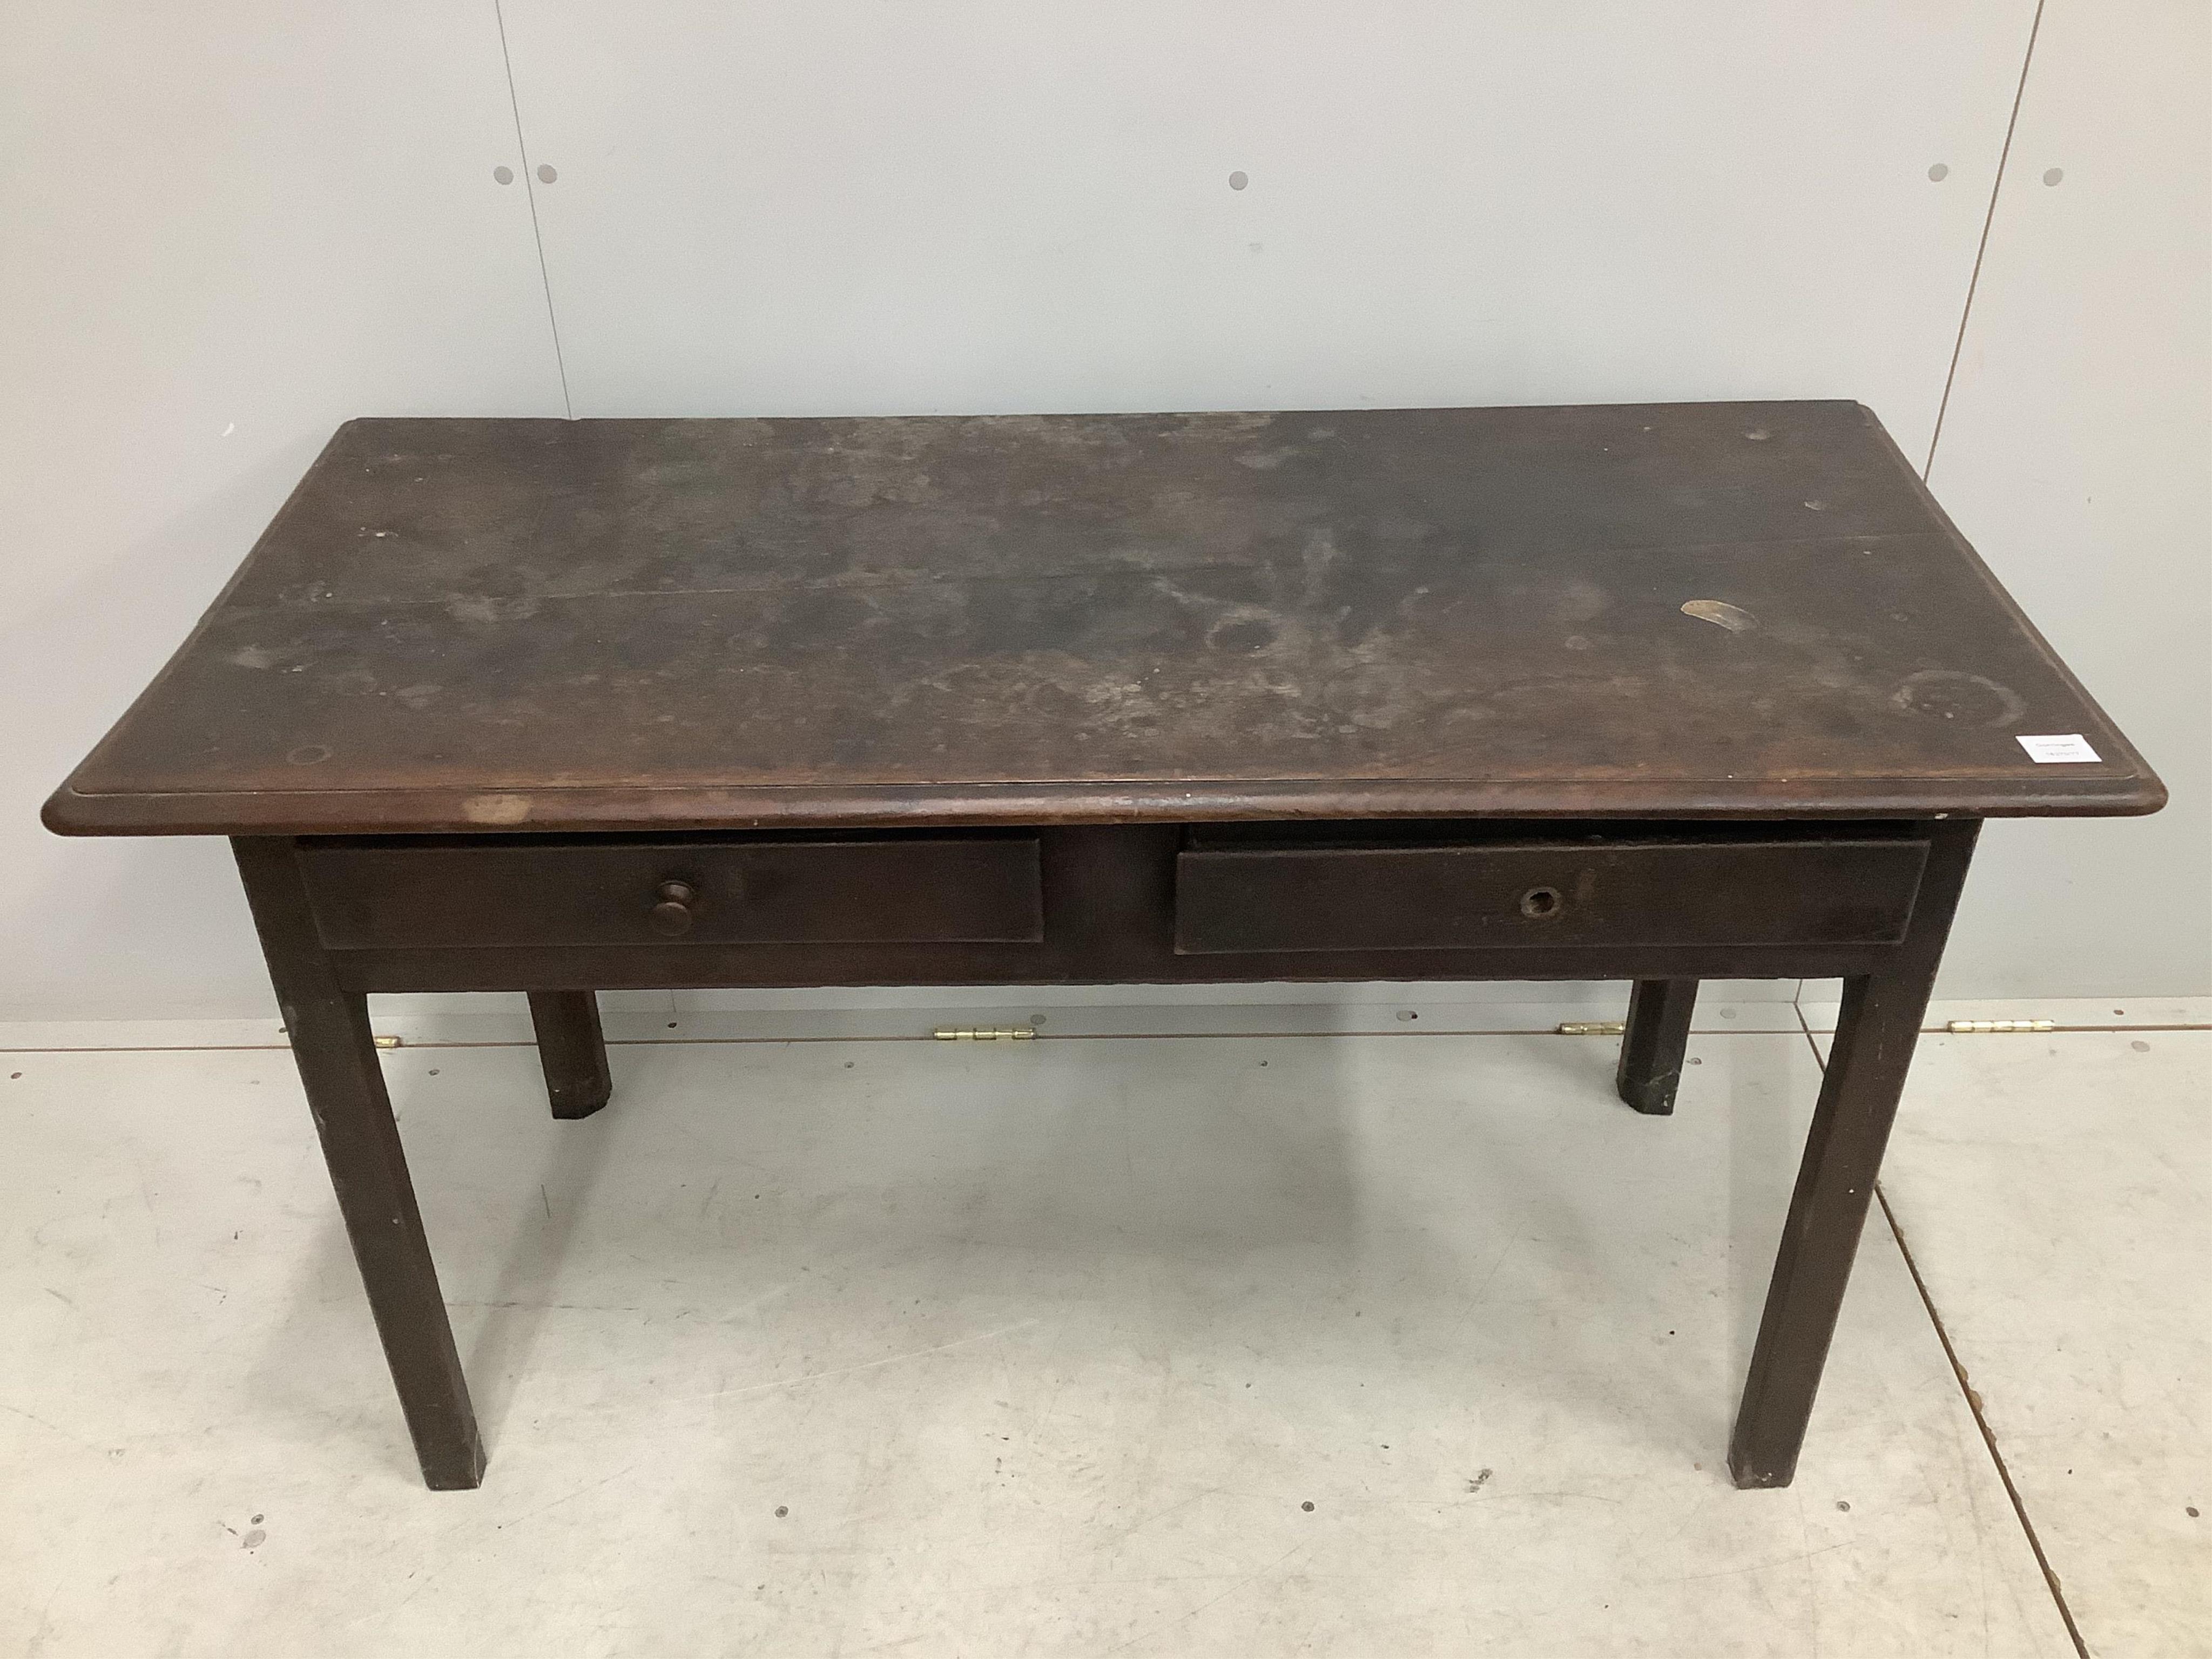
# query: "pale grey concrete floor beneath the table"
[[842, 1348]]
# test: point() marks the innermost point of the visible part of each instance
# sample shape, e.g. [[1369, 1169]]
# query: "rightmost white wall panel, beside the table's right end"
[[2078, 457]]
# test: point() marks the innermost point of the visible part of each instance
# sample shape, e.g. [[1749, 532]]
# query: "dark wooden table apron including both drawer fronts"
[[1131, 906]]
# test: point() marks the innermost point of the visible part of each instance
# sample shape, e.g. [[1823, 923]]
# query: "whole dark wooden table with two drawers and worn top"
[[1660, 693]]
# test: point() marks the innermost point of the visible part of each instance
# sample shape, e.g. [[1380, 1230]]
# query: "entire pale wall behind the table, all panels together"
[[227, 229]]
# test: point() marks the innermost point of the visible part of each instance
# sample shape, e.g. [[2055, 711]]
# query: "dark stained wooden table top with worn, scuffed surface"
[[1704, 609]]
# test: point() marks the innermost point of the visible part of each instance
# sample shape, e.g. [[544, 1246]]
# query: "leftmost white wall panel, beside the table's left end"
[[225, 229]]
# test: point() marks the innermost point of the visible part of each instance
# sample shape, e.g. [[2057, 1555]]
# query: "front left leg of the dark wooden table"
[[368, 1169]]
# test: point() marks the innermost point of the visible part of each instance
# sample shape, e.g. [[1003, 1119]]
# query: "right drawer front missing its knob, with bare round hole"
[[1536, 895]]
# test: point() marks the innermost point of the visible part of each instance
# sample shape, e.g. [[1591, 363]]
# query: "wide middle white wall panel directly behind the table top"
[[1010, 207]]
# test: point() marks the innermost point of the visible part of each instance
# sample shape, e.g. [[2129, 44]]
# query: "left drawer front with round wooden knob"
[[636, 893]]
